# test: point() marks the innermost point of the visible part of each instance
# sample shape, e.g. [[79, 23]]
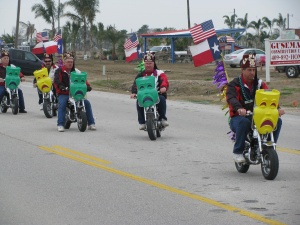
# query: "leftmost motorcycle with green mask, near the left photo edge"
[[11, 97]]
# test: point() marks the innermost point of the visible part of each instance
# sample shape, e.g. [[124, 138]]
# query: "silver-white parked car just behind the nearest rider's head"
[[234, 59]]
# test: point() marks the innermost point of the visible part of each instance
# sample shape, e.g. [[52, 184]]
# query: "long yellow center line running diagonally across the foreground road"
[[156, 184]]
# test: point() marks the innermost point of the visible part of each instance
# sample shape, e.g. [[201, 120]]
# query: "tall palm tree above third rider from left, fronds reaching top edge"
[[85, 13]]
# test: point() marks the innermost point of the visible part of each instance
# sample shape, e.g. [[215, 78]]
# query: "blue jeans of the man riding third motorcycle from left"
[[62, 104]]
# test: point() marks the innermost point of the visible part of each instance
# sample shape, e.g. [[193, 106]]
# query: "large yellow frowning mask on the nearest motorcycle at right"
[[265, 112]]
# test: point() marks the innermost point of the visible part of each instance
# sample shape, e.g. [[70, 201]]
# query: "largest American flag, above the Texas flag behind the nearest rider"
[[202, 31]]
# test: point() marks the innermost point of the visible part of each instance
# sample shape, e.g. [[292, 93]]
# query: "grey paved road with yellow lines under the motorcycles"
[[116, 175]]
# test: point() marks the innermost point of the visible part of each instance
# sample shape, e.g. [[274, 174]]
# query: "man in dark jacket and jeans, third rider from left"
[[62, 85]]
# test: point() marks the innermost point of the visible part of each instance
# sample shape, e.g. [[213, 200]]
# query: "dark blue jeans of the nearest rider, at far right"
[[241, 126]]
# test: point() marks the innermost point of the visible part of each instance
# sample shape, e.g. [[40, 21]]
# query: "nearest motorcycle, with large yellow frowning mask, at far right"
[[260, 147]]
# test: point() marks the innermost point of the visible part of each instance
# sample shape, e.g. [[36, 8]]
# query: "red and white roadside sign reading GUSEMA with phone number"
[[284, 52]]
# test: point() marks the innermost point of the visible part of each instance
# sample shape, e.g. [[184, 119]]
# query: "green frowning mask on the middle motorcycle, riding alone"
[[147, 94]]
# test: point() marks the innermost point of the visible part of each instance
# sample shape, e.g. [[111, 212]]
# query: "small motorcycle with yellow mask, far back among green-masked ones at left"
[[44, 84]]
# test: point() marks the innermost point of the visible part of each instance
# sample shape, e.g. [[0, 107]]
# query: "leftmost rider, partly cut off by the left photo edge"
[[4, 63]]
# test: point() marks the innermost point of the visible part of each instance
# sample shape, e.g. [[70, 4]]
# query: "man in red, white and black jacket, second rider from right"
[[163, 85]]
